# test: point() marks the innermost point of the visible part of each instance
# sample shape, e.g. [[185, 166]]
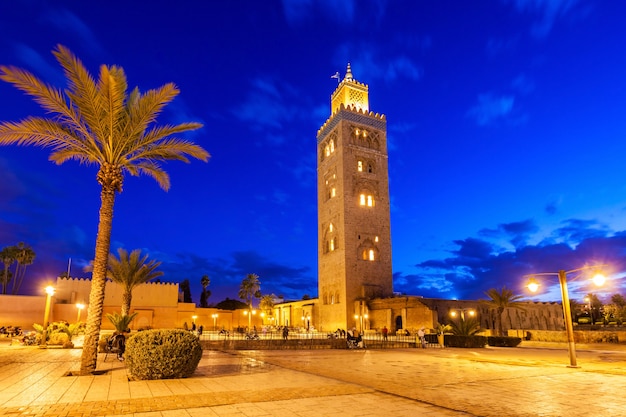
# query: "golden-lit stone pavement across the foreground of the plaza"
[[528, 381]]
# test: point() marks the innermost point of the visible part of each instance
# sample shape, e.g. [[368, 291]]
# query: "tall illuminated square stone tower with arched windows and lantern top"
[[354, 238]]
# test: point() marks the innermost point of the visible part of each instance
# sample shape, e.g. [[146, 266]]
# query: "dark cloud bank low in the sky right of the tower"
[[476, 264]]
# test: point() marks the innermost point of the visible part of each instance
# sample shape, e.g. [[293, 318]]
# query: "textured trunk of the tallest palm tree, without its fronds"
[[89, 356]]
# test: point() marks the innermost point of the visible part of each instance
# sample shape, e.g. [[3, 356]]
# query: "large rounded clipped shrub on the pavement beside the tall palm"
[[163, 354]]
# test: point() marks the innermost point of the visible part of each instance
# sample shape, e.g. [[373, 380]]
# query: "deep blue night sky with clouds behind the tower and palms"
[[506, 130]]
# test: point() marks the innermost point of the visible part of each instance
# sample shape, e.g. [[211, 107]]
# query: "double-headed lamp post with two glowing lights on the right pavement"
[[598, 279]]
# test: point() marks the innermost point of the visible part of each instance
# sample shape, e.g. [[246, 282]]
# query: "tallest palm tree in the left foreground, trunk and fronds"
[[97, 122]]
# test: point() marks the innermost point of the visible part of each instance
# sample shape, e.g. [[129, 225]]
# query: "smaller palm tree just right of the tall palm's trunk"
[[130, 271]]
